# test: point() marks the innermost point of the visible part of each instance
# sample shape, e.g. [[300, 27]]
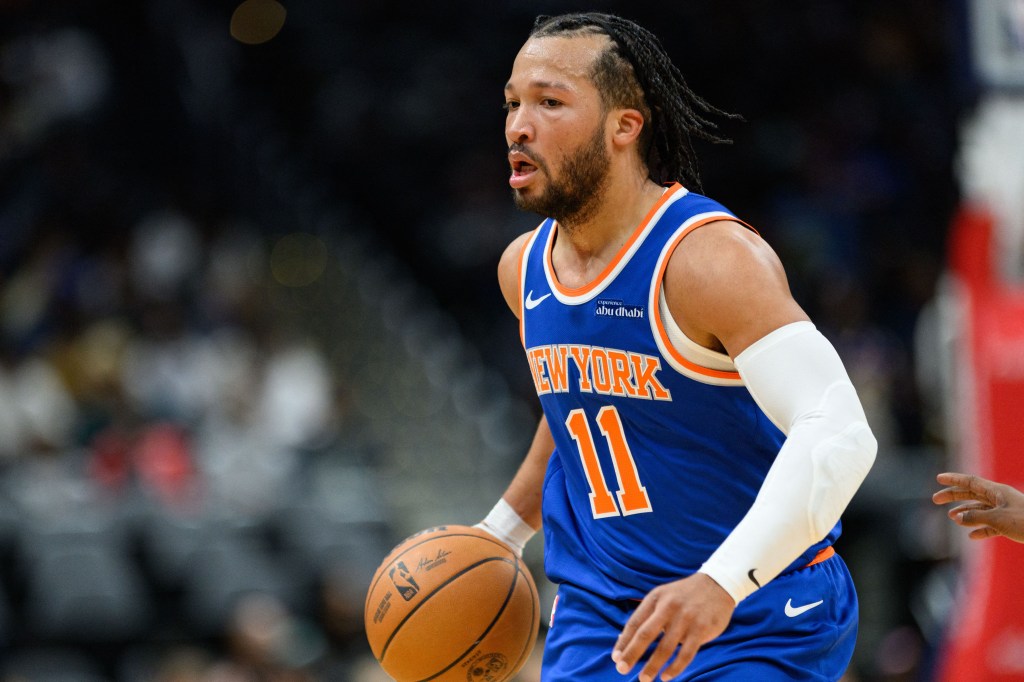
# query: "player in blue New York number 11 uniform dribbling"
[[700, 439]]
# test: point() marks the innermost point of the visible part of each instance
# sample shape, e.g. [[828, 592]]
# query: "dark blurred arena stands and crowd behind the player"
[[250, 330]]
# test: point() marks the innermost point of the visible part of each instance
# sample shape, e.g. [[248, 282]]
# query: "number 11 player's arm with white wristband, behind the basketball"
[[518, 516]]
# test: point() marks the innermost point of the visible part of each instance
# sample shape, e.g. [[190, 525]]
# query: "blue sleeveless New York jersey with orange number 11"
[[659, 454]]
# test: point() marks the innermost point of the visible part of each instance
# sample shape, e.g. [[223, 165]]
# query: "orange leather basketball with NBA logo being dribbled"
[[452, 604]]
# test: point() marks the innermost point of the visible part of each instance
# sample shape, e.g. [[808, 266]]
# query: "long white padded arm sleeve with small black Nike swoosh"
[[798, 379]]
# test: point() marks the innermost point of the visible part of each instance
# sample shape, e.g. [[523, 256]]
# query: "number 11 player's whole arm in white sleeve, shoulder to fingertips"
[[728, 290]]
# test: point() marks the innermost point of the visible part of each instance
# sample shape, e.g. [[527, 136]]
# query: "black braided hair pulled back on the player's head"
[[637, 73]]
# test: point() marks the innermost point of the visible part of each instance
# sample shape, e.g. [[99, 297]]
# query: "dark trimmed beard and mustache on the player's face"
[[575, 195]]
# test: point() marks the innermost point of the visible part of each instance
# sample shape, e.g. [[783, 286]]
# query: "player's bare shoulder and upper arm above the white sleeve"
[[727, 287]]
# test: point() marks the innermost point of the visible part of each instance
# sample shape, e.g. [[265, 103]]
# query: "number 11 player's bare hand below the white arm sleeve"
[[687, 615]]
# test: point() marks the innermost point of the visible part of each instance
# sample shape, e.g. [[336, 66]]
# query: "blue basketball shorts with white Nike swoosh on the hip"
[[801, 626]]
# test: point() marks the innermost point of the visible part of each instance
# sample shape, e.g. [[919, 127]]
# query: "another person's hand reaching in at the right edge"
[[997, 509]]
